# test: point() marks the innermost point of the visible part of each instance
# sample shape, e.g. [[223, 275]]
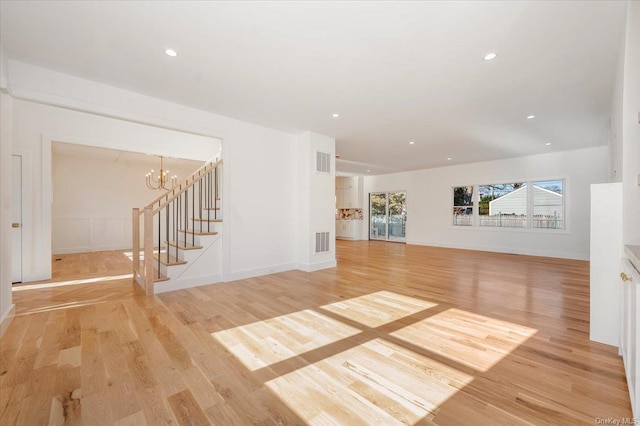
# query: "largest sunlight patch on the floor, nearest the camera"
[[376, 382]]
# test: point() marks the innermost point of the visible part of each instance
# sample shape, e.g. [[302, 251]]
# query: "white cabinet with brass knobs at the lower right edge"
[[630, 332]]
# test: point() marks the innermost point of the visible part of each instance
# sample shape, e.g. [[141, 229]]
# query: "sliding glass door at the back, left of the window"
[[387, 216]]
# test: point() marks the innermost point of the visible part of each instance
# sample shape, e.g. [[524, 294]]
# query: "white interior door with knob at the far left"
[[16, 219]]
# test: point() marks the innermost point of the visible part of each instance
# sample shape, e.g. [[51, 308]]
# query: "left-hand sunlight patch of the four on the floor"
[[264, 343]]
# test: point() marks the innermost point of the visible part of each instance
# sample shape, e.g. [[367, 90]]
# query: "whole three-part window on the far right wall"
[[535, 204]]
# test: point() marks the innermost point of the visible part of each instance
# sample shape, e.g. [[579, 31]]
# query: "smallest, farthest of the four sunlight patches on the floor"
[[376, 309]]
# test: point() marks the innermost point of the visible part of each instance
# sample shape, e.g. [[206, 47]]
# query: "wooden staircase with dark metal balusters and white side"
[[177, 237]]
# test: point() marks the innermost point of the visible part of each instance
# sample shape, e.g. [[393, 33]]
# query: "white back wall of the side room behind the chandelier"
[[93, 198]]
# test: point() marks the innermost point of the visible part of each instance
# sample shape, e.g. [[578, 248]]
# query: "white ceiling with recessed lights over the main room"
[[394, 71]]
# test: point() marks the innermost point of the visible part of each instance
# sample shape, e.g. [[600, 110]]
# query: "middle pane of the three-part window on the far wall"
[[503, 205]]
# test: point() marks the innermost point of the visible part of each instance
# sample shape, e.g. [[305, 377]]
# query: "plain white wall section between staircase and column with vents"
[[259, 192]]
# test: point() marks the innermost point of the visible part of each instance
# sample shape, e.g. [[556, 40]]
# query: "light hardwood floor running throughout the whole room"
[[394, 334]]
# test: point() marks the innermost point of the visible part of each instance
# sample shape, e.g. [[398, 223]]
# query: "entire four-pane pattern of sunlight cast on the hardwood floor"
[[375, 381]]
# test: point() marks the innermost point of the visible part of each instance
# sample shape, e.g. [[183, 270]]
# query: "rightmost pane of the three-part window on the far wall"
[[548, 204]]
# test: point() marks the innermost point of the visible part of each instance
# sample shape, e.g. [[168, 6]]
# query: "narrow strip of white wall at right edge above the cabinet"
[[631, 127]]
